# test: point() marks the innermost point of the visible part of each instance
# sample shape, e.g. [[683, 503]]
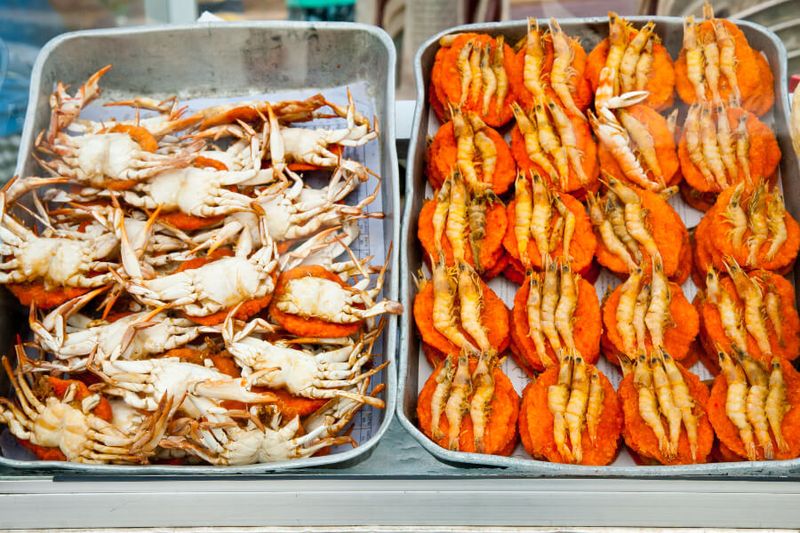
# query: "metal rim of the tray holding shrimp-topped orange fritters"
[[534, 467]]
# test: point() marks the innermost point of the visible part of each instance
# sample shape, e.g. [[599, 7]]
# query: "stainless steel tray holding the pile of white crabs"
[[228, 60]]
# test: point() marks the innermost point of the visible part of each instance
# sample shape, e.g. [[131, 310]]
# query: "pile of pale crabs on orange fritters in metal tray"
[[191, 299]]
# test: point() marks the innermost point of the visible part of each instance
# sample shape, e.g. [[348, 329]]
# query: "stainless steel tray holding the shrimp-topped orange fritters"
[[590, 31]]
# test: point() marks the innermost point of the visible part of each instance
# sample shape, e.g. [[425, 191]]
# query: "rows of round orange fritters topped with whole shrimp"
[[585, 183]]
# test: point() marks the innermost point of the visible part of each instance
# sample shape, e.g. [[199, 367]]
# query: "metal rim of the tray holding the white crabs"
[[391, 333]]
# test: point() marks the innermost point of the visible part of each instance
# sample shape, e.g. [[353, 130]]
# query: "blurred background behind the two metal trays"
[[26, 25]]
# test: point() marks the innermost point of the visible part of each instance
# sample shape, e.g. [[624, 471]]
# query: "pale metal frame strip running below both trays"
[[464, 502]]
